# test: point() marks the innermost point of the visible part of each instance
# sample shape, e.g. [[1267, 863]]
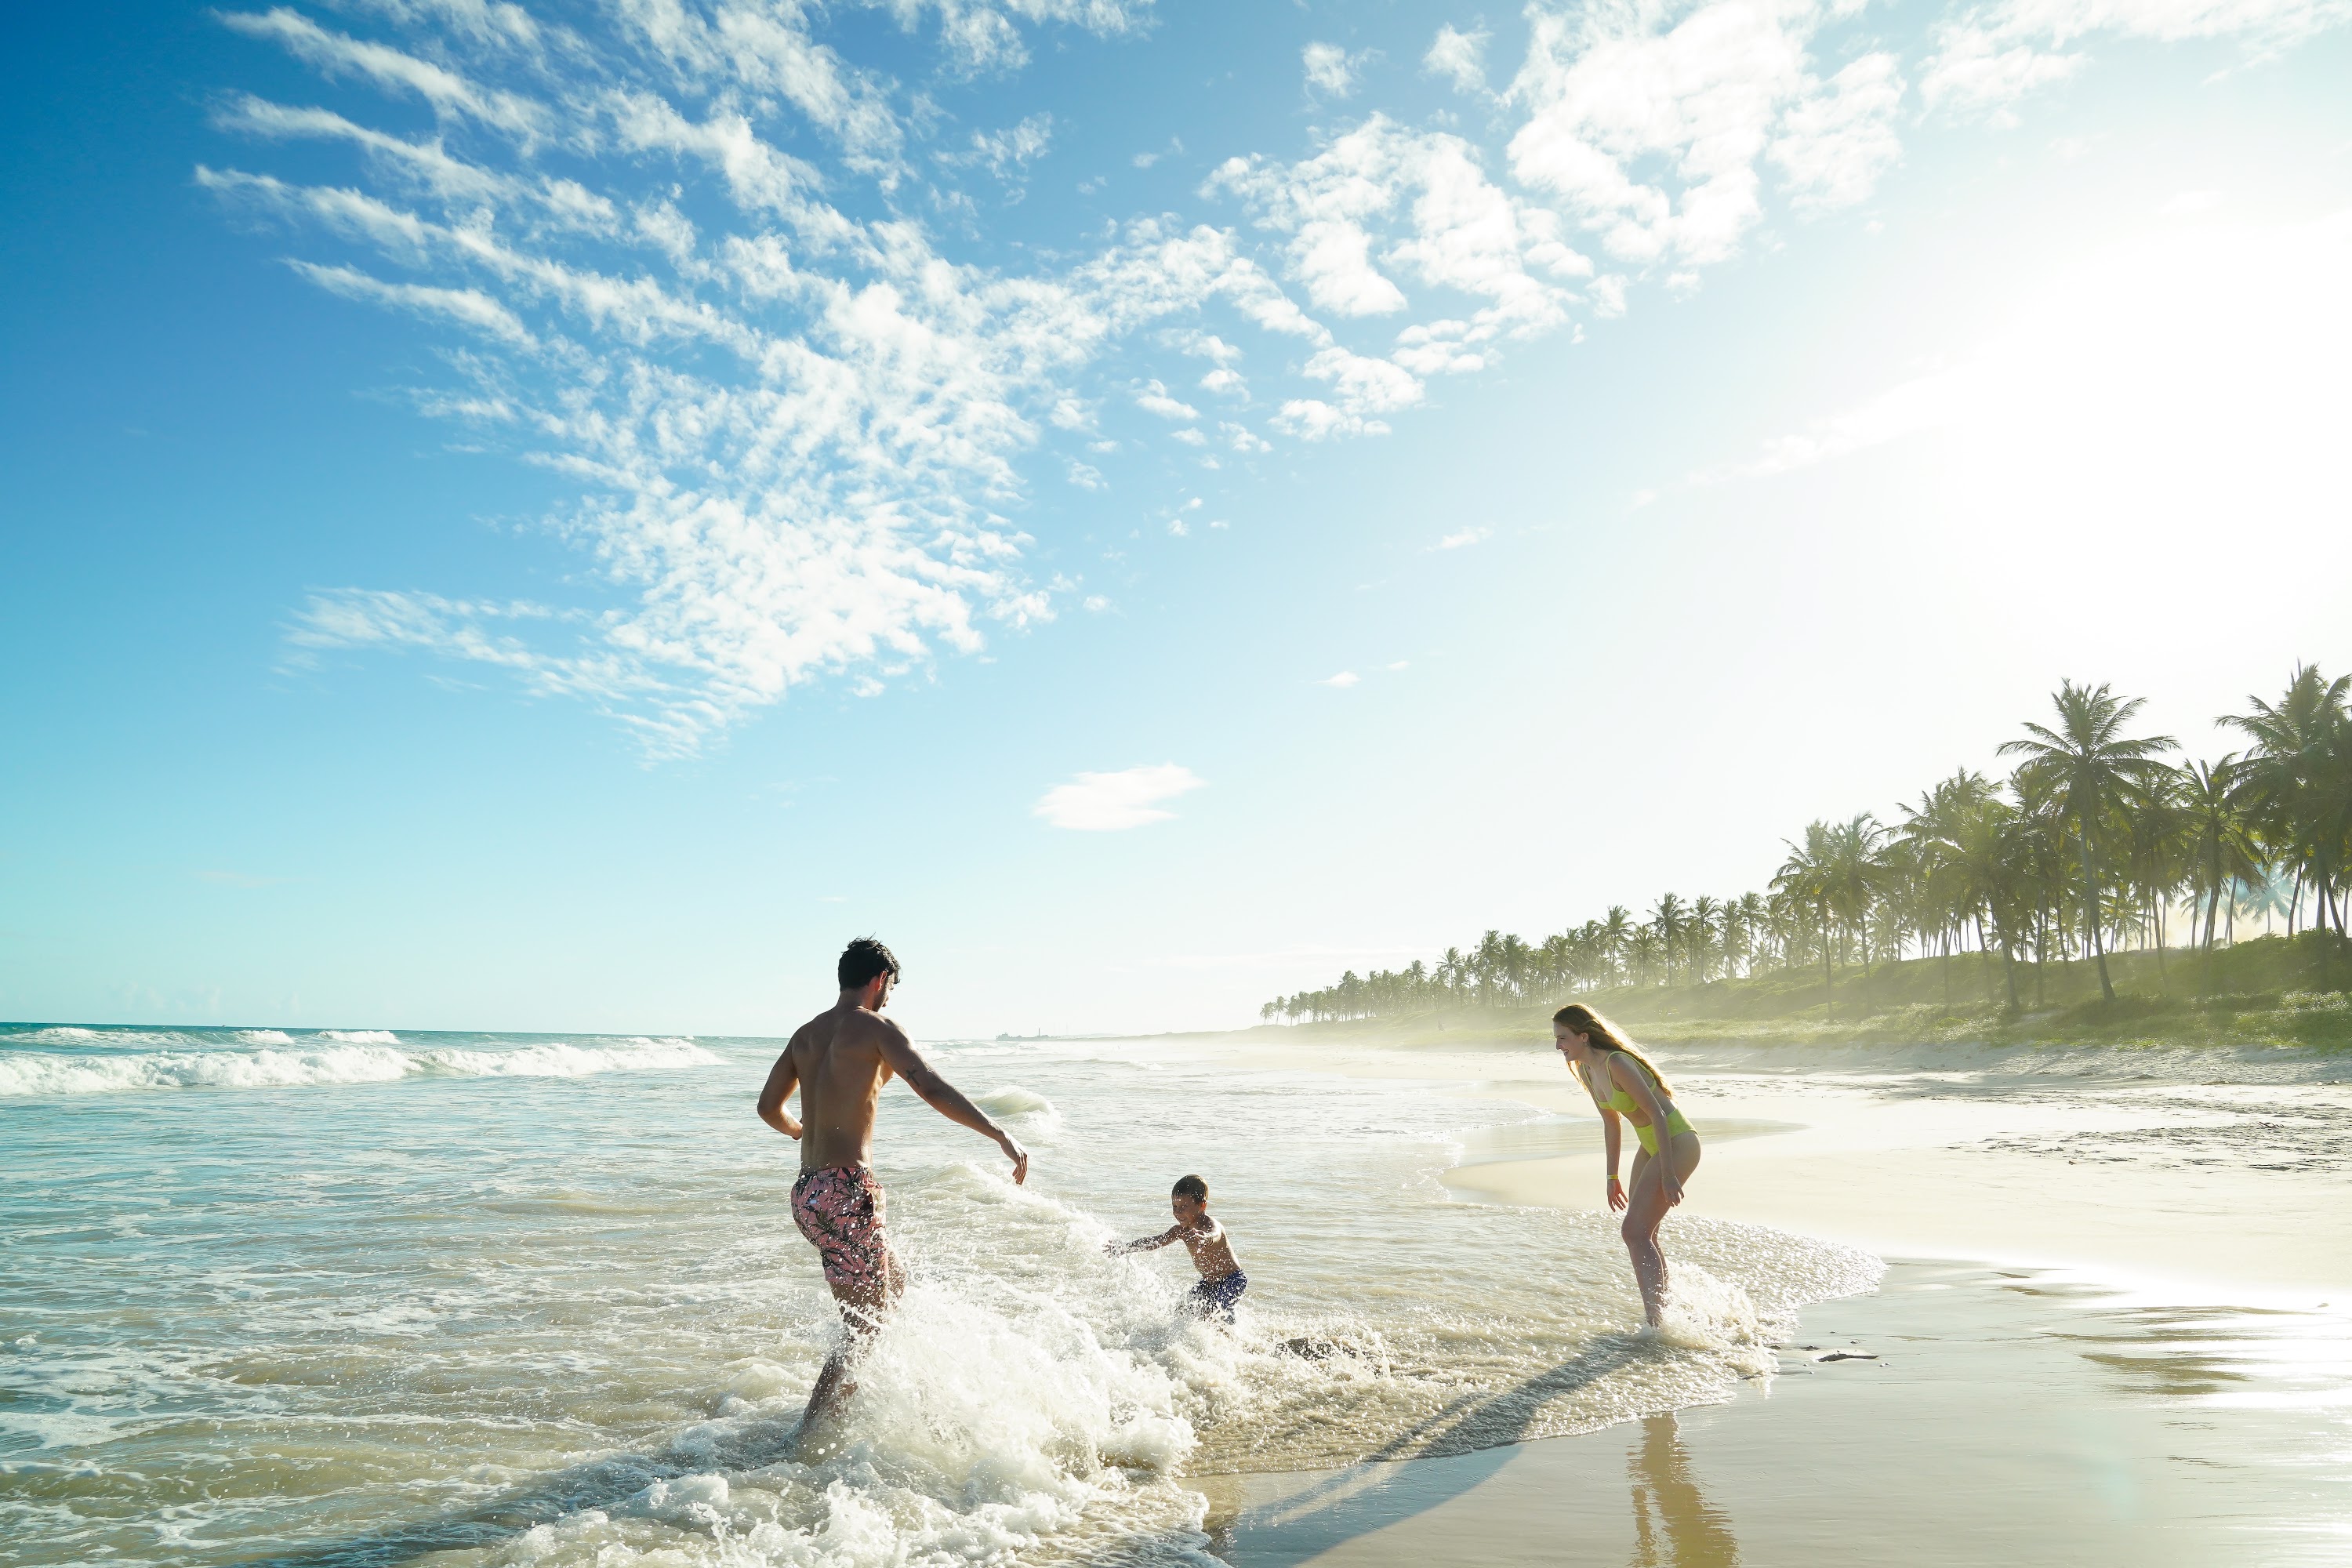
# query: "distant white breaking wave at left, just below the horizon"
[[46, 1073]]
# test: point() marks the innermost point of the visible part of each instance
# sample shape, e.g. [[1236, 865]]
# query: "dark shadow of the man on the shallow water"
[[599, 1485]]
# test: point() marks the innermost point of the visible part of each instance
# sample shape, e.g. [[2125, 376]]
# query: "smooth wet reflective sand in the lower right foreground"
[[2000, 1419]]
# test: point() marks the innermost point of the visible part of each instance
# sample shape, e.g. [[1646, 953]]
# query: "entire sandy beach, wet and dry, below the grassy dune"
[[2111, 1334]]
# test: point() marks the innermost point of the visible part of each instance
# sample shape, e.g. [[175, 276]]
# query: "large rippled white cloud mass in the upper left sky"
[[820, 497]]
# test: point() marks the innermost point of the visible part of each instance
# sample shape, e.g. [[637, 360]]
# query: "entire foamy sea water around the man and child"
[[354, 1299]]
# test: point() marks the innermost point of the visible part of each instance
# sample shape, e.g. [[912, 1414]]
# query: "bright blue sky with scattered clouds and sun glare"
[[554, 518]]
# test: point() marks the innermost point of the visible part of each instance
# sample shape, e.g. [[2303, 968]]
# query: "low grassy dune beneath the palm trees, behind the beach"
[[2261, 993]]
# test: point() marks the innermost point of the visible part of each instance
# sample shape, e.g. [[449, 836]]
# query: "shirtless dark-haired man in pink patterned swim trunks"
[[838, 1061]]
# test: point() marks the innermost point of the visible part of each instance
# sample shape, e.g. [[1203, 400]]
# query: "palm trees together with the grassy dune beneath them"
[[2106, 876]]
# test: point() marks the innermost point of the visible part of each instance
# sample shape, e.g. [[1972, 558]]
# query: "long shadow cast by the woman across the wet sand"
[[1450, 1454]]
